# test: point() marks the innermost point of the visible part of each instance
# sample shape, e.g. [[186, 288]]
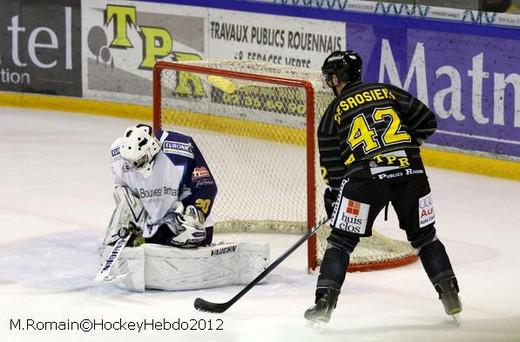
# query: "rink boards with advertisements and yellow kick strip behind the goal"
[[460, 63]]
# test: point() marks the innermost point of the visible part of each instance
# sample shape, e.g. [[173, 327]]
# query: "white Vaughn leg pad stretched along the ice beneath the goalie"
[[161, 267]]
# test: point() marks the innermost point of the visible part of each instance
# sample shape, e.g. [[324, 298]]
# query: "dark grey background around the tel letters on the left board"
[[33, 14]]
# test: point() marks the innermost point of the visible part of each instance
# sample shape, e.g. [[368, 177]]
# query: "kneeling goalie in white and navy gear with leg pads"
[[164, 193]]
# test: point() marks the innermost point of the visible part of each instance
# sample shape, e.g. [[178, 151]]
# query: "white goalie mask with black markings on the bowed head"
[[139, 146]]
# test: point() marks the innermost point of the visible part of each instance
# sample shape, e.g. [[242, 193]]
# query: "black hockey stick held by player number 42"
[[203, 305]]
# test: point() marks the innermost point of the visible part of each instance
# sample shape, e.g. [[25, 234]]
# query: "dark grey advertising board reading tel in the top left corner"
[[40, 47]]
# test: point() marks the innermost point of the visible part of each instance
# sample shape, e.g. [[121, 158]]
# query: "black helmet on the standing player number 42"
[[346, 65]]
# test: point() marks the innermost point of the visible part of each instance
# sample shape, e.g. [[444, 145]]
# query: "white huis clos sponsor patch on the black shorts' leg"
[[351, 216]]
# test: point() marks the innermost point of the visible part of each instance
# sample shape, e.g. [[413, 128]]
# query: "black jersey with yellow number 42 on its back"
[[373, 130]]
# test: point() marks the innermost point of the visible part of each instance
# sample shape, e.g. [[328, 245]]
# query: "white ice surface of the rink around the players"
[[56, 199]]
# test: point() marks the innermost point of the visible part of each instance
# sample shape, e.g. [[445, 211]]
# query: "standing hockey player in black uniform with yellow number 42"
[[369, 140]]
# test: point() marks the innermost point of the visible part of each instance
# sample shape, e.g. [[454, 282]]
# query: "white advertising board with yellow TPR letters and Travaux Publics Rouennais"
[[123, 39]]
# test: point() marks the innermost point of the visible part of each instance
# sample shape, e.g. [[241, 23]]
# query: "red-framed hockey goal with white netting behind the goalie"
[[255, 125]]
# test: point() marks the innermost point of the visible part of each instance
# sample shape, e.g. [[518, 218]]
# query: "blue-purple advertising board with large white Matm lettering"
[[470, 82]]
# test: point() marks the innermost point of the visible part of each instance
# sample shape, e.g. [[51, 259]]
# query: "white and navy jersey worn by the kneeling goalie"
[[180, 173]]
